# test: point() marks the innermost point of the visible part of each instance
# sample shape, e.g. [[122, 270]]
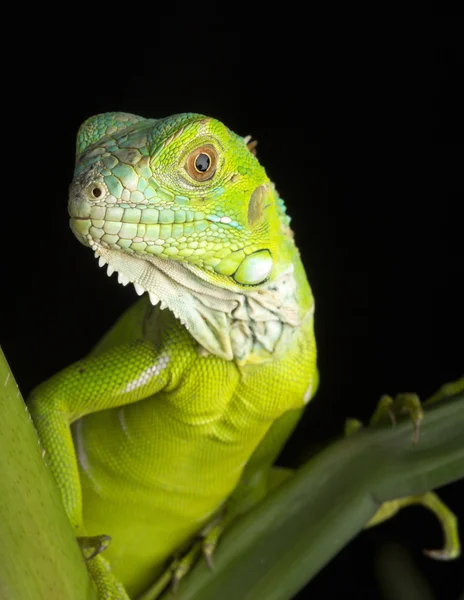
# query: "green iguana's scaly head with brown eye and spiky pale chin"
[[178, 204]]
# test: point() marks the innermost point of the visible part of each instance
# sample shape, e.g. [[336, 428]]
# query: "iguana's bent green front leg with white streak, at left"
[[119, 376]]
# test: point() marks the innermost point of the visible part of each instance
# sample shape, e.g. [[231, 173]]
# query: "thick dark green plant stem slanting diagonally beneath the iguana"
[[274, 550]]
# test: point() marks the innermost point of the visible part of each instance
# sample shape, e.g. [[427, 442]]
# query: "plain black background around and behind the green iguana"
[[362, 131]]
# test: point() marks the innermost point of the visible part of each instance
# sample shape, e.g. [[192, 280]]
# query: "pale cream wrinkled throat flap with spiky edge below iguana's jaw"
[[247, 326]]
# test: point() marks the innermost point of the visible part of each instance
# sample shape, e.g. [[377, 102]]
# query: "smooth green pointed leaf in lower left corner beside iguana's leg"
[[39, 555]]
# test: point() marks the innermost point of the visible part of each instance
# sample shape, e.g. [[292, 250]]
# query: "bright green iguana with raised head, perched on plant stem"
[[149, 435]]
